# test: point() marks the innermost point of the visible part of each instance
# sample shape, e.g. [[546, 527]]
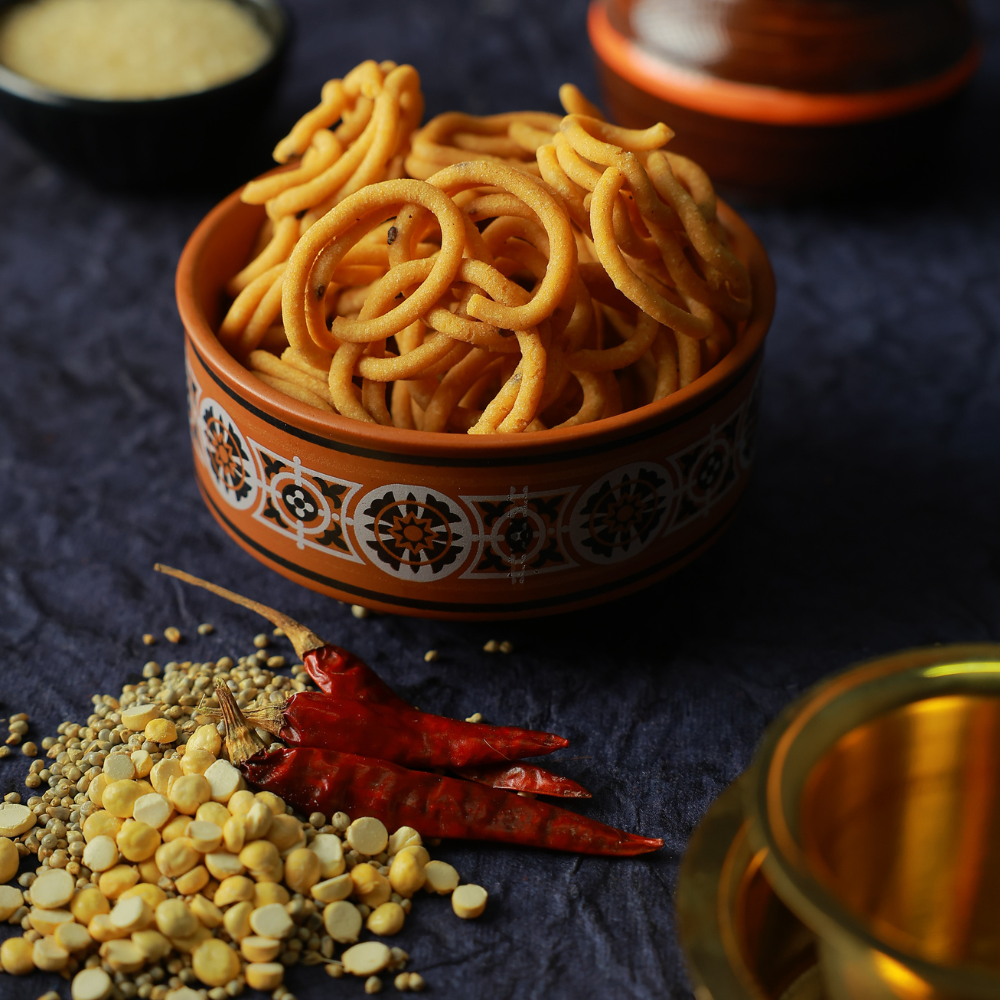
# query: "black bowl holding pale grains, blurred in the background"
[[193, 140]]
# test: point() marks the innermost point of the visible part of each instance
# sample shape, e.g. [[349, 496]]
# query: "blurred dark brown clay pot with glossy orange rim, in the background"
[[786, 98]]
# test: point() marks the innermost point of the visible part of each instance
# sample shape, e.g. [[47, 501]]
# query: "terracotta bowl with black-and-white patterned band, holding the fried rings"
[[451, 525]]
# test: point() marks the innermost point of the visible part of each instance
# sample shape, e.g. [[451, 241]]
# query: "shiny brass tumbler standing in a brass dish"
[[874, 802]]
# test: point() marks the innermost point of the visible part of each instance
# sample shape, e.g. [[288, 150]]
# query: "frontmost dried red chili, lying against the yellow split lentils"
[[326, 781]]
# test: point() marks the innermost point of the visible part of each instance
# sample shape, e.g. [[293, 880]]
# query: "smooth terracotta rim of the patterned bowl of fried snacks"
[[464, 448]]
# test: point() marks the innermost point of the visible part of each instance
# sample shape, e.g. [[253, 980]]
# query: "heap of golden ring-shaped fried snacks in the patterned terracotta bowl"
[[530, 272]]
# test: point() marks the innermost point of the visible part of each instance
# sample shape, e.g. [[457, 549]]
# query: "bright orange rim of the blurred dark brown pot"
[[765, 105]]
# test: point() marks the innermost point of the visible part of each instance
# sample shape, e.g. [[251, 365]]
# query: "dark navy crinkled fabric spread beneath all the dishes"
[[872, 522]]
